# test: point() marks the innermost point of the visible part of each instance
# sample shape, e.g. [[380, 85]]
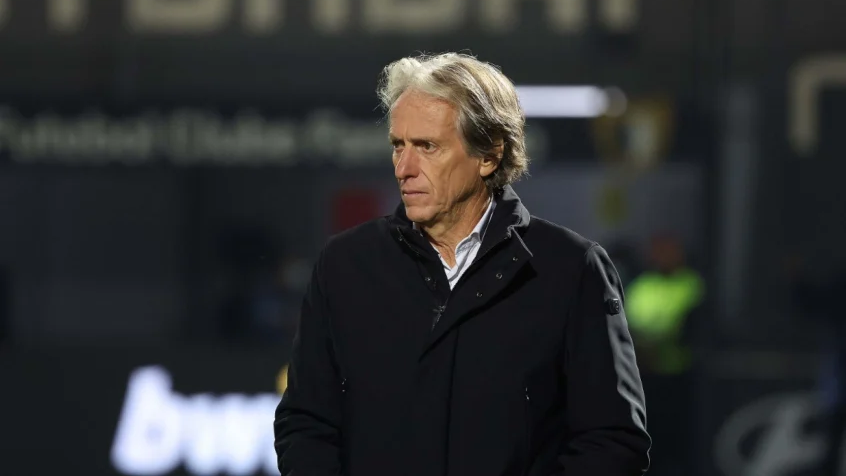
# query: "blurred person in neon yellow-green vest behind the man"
[[661, 303]]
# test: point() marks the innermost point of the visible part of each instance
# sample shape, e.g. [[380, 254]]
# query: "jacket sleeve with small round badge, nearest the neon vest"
[[604, 396]]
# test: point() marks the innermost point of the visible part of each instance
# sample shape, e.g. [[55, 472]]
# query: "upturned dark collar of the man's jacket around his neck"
[[509, 215]]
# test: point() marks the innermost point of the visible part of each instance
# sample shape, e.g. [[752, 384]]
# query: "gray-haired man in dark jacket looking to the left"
[[461, 336]]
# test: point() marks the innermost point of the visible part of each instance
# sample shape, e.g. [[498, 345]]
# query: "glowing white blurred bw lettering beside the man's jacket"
[[160, 430]]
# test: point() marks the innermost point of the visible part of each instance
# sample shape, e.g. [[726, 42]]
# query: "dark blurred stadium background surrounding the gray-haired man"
[[170, 168]]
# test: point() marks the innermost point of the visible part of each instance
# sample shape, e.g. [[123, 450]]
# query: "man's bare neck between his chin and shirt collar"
[[447, 233]]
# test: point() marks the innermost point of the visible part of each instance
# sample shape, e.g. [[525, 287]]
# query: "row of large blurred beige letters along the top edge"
[[330, 17]]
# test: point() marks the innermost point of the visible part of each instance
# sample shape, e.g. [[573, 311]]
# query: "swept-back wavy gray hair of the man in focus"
[[487, 104]]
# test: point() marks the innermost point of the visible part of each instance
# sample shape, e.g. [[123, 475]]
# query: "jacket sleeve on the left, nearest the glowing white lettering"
[[307, 425]]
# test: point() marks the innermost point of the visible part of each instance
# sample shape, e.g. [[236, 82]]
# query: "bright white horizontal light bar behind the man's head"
[[570, 101]]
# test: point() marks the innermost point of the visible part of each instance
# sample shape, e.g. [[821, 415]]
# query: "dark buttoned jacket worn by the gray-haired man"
[[526, 368]]
